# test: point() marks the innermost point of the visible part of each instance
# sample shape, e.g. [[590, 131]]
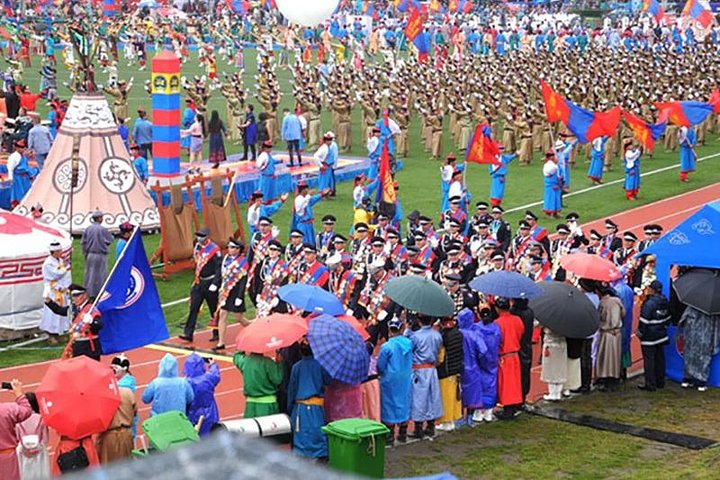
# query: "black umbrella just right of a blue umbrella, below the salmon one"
[[565, 310]]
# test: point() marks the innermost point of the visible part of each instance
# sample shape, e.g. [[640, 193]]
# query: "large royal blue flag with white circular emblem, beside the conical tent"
[[130, 305]]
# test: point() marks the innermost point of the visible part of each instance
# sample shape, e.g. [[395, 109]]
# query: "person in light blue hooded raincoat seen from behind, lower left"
[[168, 391]]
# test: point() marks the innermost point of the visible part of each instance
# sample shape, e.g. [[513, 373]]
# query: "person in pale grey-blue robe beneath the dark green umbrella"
[[426, 403]]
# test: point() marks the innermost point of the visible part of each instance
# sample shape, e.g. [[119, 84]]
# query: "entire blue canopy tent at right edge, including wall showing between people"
[[693, 243]]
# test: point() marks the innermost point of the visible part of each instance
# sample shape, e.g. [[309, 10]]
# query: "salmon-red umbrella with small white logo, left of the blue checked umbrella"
[[270, 333]]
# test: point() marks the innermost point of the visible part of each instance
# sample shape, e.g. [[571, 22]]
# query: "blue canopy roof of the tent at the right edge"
[[693, 243]]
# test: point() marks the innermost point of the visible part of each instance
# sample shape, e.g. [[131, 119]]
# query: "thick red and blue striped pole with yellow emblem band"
[[165, 83]]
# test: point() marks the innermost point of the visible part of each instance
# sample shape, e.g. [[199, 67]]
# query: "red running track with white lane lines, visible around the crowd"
[[144, 361]]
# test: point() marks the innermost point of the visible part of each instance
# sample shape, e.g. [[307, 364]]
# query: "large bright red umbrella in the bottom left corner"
[[78, 397]]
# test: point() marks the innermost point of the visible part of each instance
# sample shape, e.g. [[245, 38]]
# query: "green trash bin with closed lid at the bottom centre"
[[357, 445]]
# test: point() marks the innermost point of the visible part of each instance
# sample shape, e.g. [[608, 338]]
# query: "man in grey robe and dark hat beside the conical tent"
[[95, 242]]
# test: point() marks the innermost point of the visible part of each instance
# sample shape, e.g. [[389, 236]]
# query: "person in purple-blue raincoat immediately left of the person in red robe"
[[489, 364]]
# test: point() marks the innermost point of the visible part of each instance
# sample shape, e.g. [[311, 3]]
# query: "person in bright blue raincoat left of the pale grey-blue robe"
[[395, 369]]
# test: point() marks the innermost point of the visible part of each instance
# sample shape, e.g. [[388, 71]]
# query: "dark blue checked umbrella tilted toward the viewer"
[[339, 349]]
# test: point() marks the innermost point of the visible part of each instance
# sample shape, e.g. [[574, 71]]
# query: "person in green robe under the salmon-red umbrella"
[[261, 378]]
